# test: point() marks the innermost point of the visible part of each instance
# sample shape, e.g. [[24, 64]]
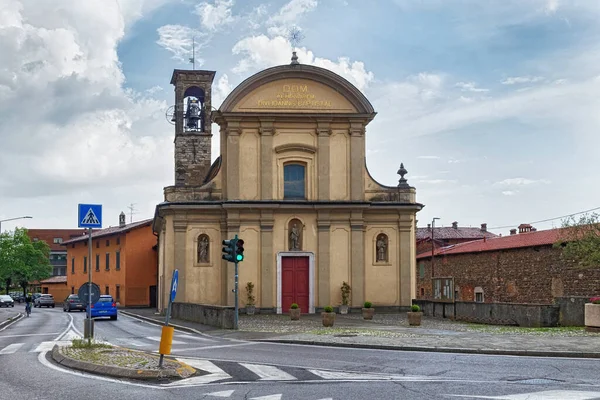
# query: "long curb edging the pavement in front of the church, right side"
[[530, 353]]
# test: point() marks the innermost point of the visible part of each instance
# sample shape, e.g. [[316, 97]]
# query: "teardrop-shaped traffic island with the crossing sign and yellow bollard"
[[120, 362]]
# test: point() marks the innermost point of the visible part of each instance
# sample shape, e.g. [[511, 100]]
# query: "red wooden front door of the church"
[[294, 283]]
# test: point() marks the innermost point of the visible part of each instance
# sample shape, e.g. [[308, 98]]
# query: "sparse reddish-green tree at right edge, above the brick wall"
[[580, 240]]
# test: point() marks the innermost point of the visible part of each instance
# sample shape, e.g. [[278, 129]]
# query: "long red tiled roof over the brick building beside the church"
[[527, 239]]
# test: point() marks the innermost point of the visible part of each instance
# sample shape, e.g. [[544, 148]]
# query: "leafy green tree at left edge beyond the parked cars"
[[23, 261]]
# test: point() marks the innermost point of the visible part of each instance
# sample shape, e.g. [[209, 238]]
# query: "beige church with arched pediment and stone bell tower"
[[292, 182]]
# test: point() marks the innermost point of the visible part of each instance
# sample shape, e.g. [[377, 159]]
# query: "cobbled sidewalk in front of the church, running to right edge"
[[392, 332]]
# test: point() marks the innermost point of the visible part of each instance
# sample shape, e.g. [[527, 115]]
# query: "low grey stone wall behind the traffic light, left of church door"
[[218, 316]]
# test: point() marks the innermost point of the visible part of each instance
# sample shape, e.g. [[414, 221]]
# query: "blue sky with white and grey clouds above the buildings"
[[492, 105]]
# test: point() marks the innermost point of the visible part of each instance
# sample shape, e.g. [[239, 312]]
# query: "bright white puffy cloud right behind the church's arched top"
[[260, 52]]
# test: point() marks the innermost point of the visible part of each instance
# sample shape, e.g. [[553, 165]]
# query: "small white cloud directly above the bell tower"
[[181, 41]]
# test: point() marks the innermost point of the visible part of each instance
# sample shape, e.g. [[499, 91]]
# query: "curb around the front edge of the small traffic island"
[[117, 372]]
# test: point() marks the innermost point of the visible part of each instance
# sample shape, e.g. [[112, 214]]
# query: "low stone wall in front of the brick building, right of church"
[[526, 315]]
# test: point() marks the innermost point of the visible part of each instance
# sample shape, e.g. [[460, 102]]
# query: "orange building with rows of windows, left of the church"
[[124, 262]]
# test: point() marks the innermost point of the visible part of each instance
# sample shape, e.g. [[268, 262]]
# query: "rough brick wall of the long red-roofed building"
[[525, 275]]
